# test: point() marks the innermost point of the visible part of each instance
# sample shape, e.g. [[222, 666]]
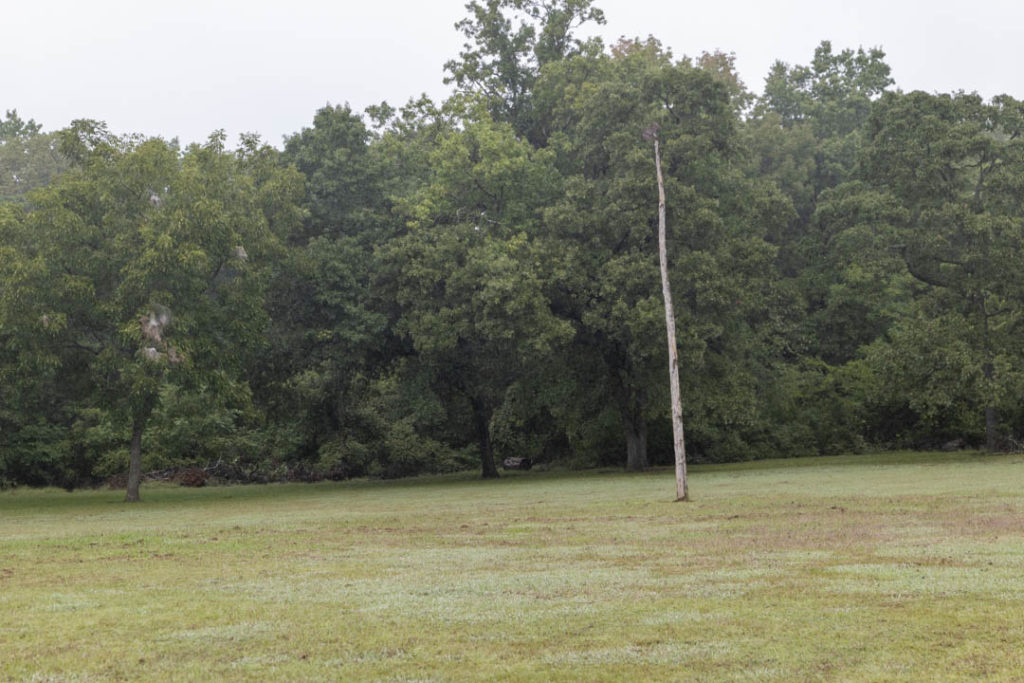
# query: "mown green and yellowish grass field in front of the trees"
[[873, 568]]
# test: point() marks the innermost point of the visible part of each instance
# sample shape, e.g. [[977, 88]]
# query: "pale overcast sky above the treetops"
[[186, 68]]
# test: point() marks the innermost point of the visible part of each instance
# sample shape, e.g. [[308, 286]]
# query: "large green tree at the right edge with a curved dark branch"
[[950, 169]]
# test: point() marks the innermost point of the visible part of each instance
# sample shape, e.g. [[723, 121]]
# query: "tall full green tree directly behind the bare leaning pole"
[[604, 243]]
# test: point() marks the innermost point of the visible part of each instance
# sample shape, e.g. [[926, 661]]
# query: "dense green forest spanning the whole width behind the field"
[[445, 285]]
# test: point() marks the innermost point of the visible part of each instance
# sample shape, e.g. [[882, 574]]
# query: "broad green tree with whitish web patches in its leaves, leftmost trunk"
[[141, 267]]
